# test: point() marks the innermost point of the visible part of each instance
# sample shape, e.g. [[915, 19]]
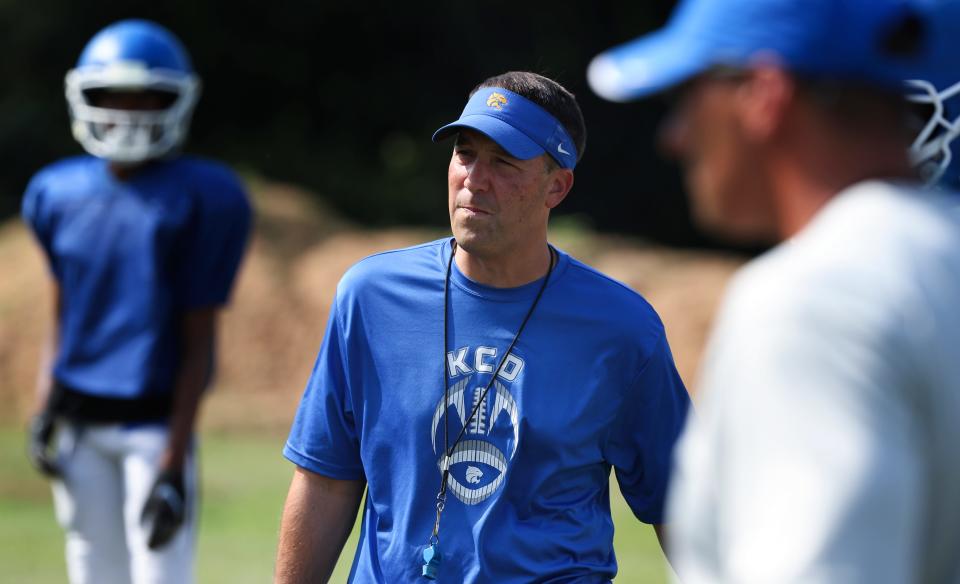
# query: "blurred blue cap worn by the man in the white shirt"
[[835, 39]]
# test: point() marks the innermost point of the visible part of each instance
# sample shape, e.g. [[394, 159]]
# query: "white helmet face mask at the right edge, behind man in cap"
[[932, 150]]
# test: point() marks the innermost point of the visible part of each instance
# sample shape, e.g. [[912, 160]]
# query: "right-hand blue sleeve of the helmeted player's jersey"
[[215, 244]]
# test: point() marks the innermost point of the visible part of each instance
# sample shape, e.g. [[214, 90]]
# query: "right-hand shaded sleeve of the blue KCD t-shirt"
[[640, 444]]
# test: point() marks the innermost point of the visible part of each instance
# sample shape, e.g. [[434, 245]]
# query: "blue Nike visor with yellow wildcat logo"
[[522, 128]]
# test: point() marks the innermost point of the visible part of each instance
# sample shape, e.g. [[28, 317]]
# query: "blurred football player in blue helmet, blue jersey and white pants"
[[143, 246]]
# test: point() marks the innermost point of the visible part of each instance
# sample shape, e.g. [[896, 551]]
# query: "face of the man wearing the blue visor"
[[498, 203]]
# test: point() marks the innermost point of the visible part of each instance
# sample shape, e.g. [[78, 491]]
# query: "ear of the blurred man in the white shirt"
[[763, 100]]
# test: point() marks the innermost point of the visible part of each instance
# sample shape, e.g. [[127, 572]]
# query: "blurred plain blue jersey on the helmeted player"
[[131, 256]]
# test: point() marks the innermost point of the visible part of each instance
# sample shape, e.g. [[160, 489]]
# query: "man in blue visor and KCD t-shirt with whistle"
[[481, 387]]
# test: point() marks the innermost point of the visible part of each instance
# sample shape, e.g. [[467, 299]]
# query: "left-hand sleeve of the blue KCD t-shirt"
[[324, 436]]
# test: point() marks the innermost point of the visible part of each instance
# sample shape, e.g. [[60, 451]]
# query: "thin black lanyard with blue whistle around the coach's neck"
[[431, 554]]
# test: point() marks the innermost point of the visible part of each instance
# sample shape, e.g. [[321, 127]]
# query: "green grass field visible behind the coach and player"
[[244, 484]]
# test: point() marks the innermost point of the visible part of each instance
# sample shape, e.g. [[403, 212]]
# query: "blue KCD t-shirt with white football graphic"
[[590, 384]]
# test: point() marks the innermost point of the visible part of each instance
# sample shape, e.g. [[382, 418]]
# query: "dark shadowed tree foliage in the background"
[[343, 97]]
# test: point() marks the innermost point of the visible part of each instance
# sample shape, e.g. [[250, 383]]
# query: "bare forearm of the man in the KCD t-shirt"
[[317, 519]]
